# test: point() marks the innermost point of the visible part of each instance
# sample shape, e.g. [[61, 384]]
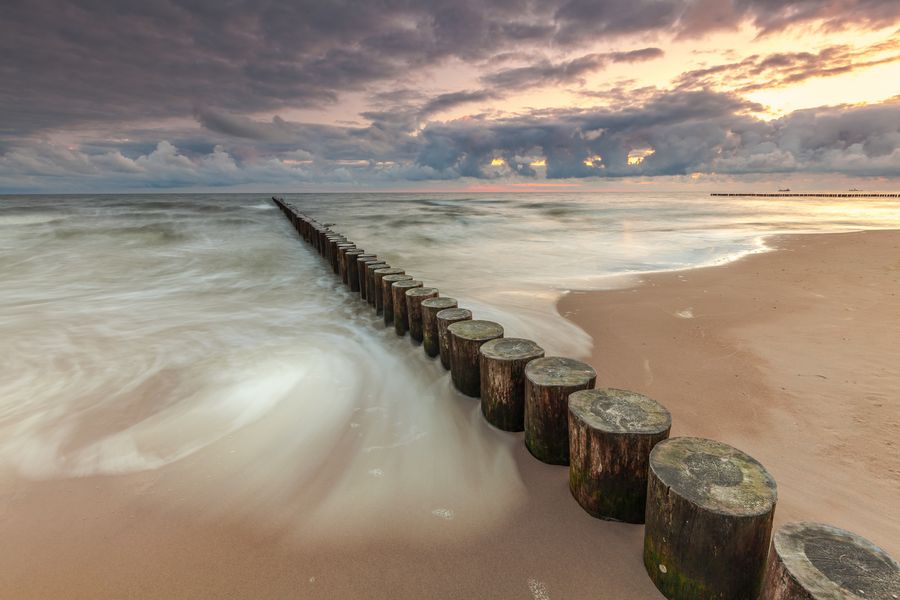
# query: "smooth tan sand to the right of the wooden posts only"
[[785, 354]]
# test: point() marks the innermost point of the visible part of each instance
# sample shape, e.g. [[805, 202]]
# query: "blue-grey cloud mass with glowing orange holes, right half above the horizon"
[[676, 133]]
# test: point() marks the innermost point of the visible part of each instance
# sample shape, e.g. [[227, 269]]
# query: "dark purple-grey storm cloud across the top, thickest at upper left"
[[67, 63]]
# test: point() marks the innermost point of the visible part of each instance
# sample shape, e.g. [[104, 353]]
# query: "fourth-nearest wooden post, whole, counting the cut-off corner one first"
[[548, 383]]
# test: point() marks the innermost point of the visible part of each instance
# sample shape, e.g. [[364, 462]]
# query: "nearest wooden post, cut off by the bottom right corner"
[[813, 561]]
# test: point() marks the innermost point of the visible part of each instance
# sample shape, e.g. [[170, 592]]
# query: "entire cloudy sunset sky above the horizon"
[[479, 95]]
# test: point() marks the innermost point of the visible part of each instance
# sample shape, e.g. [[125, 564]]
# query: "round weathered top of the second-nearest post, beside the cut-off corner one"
[[715, 476]]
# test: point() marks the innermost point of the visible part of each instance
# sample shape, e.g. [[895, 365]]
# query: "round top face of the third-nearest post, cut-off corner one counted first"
[[619, 411]]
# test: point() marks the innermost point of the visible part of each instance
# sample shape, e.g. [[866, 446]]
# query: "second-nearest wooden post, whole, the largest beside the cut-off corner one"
[[709, 520]]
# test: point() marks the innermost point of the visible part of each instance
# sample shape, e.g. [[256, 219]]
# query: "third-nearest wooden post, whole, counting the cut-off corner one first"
[[611, 434]]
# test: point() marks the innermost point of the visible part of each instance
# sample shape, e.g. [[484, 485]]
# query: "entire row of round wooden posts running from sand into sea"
[[707, 507]]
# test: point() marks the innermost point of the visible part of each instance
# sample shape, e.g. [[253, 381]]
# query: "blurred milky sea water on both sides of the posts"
[[196, 338]]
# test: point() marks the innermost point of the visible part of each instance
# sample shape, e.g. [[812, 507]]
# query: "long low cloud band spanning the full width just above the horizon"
[[673, 133]]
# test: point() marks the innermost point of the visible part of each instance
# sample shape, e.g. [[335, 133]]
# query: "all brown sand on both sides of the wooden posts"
[[788, 355]]
